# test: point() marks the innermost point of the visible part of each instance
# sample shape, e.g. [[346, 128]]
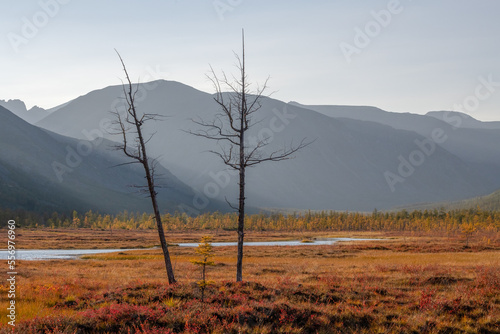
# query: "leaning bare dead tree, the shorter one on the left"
[[130, 127]]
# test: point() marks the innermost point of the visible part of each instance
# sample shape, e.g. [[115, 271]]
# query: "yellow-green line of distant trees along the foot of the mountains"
[[401, 221]]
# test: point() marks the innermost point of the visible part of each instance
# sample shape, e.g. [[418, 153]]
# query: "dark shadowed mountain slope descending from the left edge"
[[44, 171]]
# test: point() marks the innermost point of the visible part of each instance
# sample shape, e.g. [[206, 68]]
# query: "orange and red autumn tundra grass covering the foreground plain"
[[401, 284]]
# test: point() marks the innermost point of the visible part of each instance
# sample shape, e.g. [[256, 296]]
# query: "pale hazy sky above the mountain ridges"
[[398, 55]]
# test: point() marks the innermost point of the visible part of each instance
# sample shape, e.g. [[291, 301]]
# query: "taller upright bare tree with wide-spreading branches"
[[229, 128]]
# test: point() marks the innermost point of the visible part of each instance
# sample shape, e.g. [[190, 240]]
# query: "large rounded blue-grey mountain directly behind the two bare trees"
[[345, 168]]
